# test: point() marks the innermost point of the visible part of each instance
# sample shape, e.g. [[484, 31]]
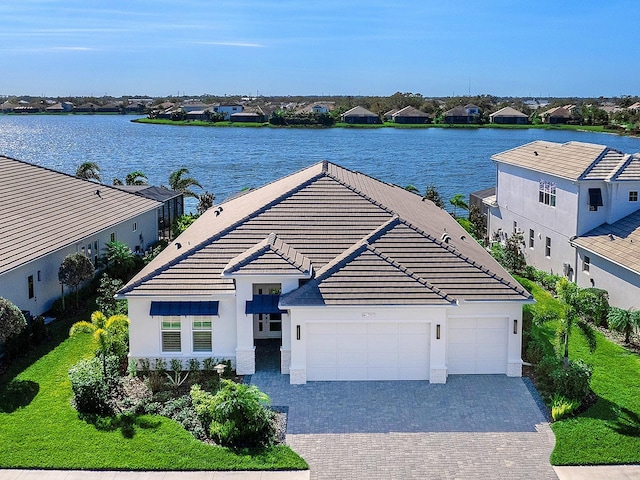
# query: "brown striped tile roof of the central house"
[[352, 230]]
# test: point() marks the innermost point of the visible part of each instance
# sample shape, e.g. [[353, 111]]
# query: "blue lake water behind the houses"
[[225, 160]]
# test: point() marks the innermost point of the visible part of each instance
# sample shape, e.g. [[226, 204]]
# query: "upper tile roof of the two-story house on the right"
[[571, 160]]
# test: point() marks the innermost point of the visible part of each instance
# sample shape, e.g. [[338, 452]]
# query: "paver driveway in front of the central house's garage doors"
[[474, 427]]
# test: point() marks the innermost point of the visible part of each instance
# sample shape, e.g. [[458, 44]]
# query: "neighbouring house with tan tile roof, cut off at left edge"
[[47, 215]]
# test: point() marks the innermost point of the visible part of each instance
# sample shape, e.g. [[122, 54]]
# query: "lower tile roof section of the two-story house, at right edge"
[[618, 242]]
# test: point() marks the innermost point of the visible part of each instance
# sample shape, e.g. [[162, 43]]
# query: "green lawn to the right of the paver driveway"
[[609, 431]]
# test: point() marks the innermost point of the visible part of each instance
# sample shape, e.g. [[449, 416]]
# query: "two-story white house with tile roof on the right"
[[576, 205]]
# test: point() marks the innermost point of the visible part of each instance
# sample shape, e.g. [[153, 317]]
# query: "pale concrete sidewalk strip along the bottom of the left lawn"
[[111, 475]]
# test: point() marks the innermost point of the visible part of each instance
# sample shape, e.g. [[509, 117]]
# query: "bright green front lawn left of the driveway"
[[40, 429]]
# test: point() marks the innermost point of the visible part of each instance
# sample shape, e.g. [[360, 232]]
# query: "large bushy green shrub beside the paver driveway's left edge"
[[236, 416]]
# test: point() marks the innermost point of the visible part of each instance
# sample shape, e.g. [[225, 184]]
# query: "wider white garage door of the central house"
[[368, 351]]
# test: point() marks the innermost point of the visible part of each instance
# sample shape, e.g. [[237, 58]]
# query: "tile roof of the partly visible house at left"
[[44, 211]]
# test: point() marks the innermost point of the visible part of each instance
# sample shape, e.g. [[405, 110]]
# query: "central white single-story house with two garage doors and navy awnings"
[[354, 279]]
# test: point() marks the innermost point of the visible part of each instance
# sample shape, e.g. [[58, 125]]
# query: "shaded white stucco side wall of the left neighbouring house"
[[13, 284]]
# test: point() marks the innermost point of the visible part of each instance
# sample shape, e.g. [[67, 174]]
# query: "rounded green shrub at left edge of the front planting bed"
[[91, 388]]
